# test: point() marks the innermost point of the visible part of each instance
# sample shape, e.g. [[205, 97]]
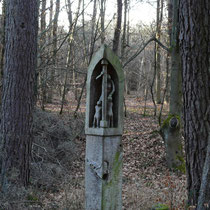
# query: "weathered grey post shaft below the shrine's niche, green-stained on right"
[[103, 173]]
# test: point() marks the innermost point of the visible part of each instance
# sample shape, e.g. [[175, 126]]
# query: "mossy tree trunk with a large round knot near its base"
[[170, 130]]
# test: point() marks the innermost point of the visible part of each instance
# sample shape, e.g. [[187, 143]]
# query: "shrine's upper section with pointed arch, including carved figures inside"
[[104, 100]]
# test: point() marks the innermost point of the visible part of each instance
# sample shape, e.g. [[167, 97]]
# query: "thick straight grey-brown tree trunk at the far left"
[[18, 89]]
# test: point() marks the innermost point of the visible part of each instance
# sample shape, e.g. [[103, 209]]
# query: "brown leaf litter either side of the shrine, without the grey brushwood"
[[146, 179]]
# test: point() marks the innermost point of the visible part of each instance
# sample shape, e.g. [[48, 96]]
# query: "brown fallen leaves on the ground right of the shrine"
[[146, 178]]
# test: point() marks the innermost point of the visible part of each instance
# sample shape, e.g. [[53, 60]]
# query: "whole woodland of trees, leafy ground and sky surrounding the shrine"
[[43, 78]]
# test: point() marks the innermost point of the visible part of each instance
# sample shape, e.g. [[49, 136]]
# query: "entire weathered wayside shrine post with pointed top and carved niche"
[[103, 128]]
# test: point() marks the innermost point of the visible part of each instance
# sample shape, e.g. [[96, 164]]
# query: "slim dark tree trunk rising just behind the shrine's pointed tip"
[[118, 27]]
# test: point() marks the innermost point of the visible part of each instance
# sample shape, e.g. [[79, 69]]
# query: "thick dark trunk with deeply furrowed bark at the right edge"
[[195, 49]]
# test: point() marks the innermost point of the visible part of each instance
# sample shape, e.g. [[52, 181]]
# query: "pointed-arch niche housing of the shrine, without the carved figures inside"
[[94, 91]]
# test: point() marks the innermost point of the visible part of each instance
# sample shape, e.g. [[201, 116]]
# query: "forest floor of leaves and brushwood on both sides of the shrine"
[[58, 162]]
